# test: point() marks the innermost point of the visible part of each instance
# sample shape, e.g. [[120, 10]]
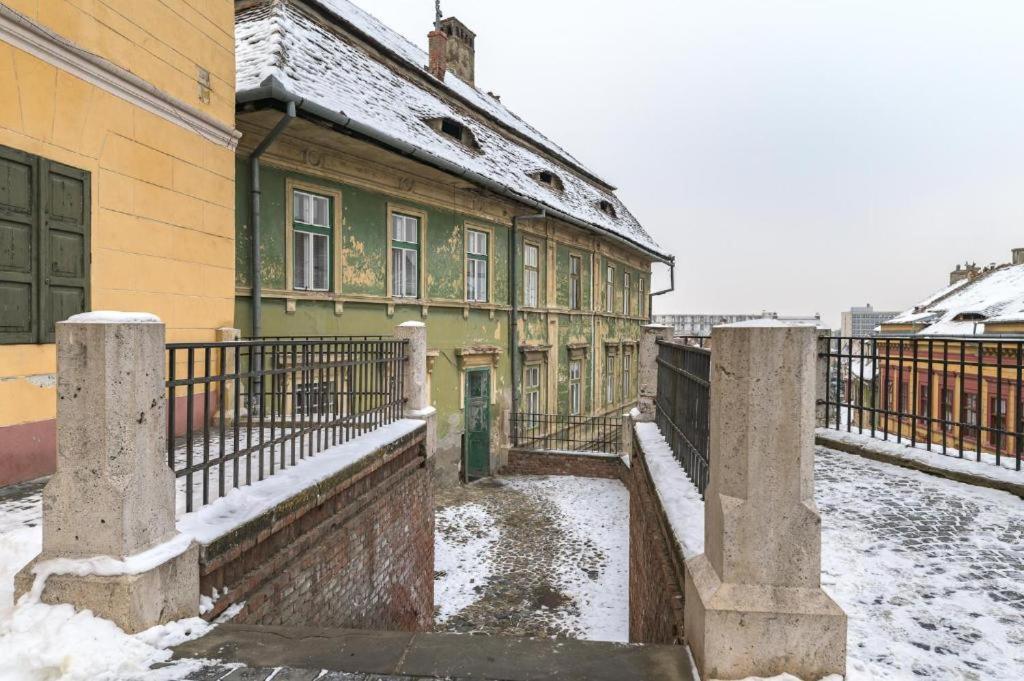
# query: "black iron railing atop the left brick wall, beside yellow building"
[[242, 411]]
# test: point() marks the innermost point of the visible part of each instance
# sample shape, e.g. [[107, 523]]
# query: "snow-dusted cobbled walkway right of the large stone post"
[[931, 572]]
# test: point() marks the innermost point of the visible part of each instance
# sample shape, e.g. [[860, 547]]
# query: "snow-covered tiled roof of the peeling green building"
[[332, 67]]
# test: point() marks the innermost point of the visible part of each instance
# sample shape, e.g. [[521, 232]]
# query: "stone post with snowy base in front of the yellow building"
[[110, 541]]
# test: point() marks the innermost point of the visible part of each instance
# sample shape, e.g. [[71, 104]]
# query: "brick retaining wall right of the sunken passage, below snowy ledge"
[[656, 564]]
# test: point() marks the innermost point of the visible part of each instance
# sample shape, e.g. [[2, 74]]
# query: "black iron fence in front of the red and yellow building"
[[958, 397]]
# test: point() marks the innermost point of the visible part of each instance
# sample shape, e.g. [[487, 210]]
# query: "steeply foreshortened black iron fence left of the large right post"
[[682, 407]]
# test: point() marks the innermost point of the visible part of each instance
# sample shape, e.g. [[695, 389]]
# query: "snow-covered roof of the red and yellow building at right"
[[966, 308]]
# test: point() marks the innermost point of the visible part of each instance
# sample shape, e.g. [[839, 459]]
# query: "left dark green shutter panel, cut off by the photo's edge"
[[19, 248]]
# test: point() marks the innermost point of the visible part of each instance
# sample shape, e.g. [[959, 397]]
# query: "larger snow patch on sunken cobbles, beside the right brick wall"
[[595, 514]]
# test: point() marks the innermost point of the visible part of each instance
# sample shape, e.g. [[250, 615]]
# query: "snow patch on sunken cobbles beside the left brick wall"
[[464, 542]]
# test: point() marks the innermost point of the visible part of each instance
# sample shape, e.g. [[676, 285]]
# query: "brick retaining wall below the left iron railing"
[[356, 552]]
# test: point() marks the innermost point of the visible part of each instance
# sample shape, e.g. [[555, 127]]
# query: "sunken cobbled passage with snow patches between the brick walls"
[[544, 557]]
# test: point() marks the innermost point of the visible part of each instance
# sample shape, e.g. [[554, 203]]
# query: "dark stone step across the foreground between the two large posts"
[[365, 656]]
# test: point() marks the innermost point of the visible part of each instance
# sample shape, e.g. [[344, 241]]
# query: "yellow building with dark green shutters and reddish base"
[[117, 171]]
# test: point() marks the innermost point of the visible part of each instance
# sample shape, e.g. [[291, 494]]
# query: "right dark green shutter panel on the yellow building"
[[65, 257]]
